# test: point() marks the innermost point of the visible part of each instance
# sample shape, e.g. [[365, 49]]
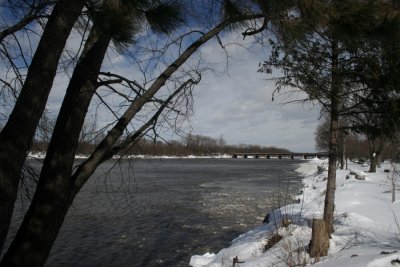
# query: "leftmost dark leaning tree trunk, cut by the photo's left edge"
[[17, 134]]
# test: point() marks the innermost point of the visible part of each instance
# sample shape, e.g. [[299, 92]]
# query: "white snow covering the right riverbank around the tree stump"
[[367, 229]]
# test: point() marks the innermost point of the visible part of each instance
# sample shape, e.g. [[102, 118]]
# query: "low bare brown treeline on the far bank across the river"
[[197, 145]]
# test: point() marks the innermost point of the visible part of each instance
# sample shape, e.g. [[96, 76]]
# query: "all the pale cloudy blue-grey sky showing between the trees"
[[233, 100]]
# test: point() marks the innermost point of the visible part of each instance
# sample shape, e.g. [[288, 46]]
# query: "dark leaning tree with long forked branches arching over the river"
[[58, 183]]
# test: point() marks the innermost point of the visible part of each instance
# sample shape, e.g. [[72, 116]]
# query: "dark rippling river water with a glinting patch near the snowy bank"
[[159, 212]]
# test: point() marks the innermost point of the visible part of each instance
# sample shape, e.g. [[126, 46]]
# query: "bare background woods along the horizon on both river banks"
[[357, 146]]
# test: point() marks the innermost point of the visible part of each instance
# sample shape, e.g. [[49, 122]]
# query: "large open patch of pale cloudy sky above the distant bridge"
[[238, 105]]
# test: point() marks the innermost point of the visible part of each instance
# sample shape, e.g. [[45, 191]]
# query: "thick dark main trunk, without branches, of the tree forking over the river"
[[53, 195]]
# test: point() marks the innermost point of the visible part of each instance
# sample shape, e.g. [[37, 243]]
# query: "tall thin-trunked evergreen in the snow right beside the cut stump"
[[313, 48]]
